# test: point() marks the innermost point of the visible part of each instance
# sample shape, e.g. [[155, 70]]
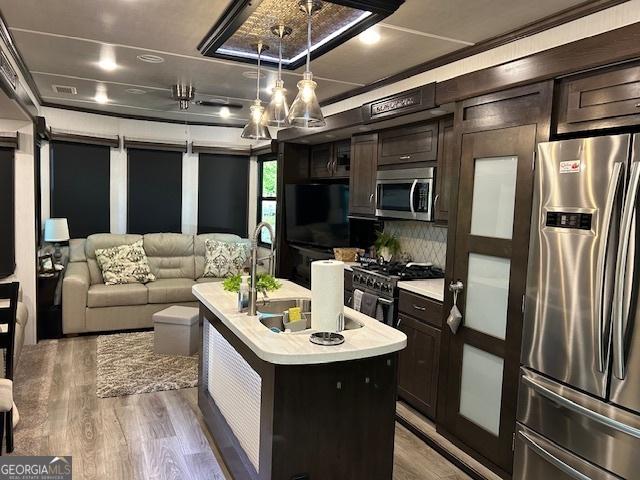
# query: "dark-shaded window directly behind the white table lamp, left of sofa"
[[80, 187]]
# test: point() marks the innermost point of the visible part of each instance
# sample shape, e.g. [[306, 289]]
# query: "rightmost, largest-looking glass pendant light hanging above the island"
[[305, 110]]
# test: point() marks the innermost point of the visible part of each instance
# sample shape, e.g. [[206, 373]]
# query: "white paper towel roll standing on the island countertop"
[[327, 294]]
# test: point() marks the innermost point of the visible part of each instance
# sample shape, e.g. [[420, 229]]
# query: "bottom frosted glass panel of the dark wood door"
[[481, 388]]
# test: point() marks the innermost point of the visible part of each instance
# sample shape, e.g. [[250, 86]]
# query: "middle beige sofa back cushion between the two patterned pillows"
[[170, 255]]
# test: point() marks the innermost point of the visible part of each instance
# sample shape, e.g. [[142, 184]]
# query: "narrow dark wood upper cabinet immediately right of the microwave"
[[446, 159]]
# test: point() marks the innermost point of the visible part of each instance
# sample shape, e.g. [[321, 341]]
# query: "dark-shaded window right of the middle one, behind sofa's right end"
[[223, 193]]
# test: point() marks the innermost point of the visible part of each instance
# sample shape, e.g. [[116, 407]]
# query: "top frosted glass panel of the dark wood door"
[[494, 193]]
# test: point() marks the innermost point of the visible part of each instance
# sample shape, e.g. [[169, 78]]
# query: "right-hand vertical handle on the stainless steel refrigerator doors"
[[621, 294]]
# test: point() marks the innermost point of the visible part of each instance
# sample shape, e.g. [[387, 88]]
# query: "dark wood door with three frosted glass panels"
[[492, 237]]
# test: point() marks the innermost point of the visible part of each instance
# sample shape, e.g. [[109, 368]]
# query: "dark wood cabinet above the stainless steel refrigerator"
[[602, 99]]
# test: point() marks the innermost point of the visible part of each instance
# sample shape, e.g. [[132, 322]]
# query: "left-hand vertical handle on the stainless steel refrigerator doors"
[[614, 184]]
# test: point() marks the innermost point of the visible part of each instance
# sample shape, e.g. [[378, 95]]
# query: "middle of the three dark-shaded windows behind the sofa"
[[155, 191]]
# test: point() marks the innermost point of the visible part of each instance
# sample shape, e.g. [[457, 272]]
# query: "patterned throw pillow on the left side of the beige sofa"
[[124, 264]]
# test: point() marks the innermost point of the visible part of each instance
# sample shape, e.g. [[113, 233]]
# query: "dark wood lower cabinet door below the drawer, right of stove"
[[418, 365]]
